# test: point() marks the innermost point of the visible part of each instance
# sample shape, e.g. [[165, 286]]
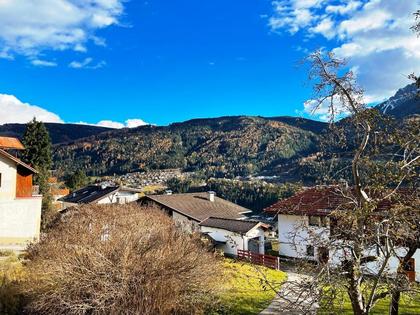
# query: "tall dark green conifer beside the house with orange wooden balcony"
[[37, 153]]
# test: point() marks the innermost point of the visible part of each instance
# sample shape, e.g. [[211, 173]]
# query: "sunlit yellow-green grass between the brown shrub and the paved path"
[[244, 292]]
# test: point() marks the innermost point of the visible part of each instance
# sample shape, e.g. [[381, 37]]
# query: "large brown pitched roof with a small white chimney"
[[198, 206]]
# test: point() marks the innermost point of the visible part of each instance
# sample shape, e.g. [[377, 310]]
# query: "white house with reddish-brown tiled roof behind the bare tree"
[[306, 214]]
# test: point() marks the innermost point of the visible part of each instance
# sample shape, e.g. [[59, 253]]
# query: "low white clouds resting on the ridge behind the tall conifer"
[[15, 111]]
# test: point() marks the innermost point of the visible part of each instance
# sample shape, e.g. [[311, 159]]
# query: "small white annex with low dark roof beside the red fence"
[[231, 235]]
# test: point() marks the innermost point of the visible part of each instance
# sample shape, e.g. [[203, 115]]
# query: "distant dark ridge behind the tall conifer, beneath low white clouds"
[[59, 133]]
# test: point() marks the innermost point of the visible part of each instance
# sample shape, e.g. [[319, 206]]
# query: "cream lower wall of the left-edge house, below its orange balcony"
[[20, 220]]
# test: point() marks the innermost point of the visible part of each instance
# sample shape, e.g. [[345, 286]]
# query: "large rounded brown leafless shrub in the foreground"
[[119, 259]]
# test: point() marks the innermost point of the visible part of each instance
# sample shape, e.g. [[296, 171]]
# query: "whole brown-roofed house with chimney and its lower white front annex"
[[224, 223]]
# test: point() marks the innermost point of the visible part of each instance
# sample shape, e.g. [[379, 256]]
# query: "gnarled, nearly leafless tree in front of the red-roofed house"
[[381, 194]]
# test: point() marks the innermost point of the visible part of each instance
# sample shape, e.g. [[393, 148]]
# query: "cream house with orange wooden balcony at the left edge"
[[20, 207]]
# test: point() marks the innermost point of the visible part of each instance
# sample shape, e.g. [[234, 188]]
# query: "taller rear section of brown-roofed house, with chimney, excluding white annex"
[[189, 209]]
